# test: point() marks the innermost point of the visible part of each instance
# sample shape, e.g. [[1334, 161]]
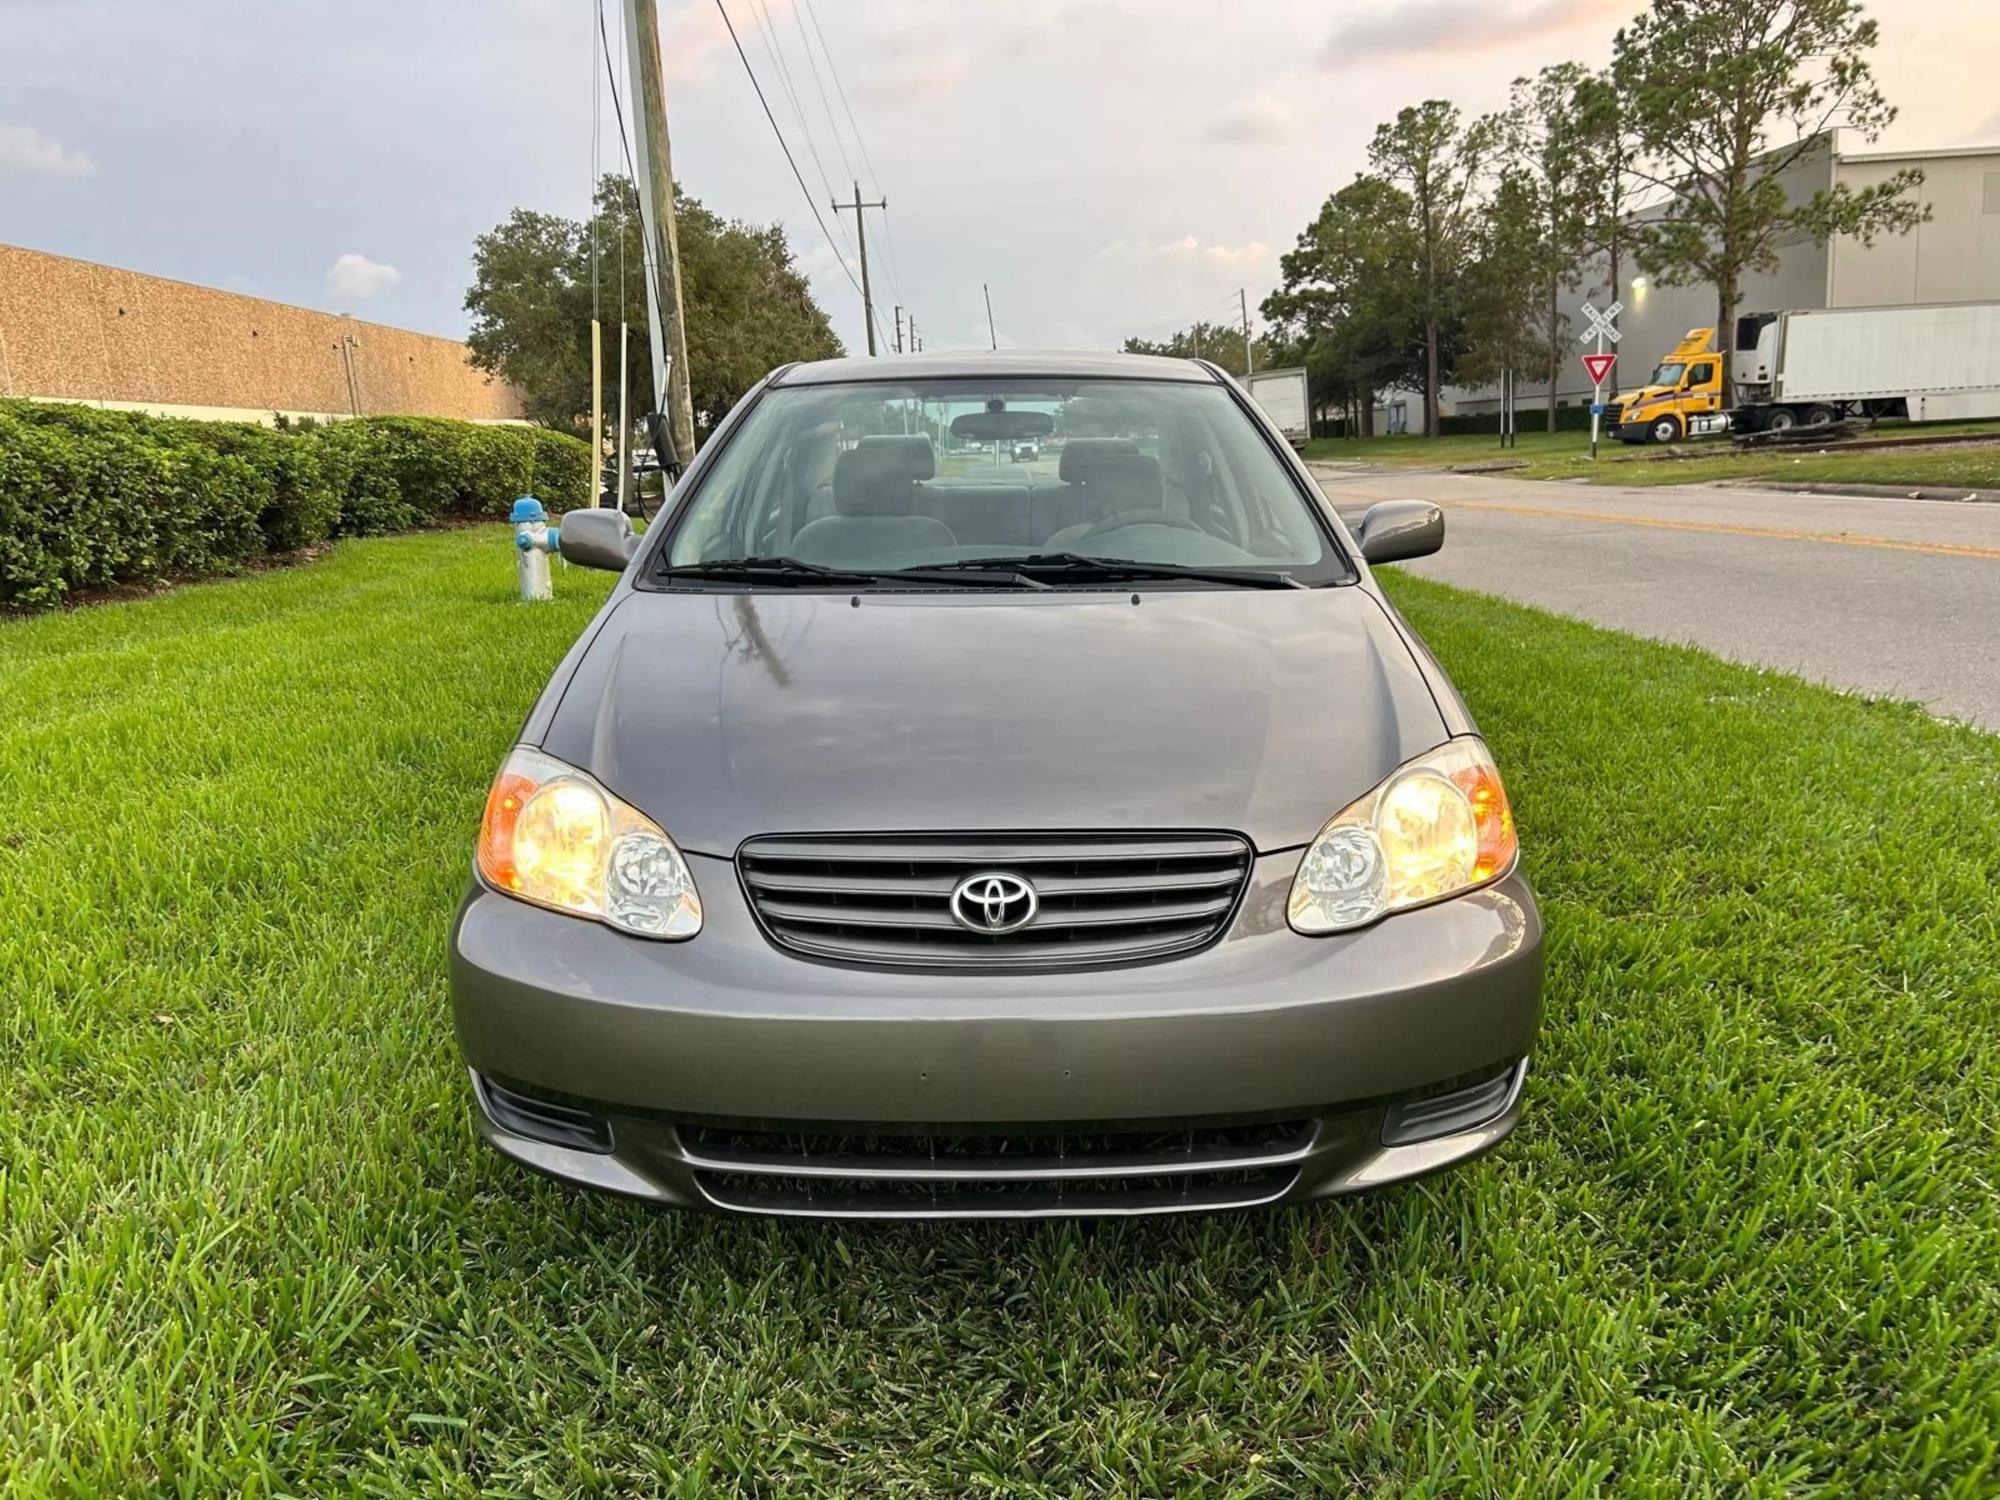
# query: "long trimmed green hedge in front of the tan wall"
[[93, 499]]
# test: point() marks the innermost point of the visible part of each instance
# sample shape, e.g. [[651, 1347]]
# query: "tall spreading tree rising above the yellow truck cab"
[[1711, 87]]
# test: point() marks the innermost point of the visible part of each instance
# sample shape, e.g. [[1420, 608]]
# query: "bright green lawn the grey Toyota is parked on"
[[1747, 1241]]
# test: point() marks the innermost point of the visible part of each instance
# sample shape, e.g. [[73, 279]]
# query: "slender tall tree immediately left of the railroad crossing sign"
[[1551, 133]]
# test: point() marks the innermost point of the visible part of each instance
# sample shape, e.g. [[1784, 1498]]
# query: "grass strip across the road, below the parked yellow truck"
[[1567, 457]]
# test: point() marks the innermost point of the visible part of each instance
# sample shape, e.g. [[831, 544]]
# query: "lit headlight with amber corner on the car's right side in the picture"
[[1439, 827]]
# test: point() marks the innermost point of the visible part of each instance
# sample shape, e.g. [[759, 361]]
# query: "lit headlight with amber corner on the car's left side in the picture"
[[557, 839]]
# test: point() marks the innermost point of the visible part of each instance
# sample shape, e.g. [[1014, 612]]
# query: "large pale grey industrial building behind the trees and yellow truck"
[[1955, 257]]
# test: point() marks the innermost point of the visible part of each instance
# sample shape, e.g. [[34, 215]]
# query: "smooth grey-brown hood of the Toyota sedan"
[[791, 713]]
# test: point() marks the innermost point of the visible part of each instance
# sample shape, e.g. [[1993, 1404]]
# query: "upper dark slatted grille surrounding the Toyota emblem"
[[887, 901]]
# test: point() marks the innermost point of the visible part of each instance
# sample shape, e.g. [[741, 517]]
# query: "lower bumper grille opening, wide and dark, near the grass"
[[997, 1173]]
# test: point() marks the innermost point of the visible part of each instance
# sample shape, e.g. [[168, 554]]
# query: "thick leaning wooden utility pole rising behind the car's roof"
[[655, 165]]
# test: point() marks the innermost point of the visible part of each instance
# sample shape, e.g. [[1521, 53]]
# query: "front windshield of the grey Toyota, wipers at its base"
[[1067, 483]]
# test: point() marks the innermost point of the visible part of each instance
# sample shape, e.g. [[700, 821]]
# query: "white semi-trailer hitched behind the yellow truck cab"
[[1927, 363]]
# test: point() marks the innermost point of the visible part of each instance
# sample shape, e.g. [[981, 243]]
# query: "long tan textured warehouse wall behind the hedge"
[[83, 333]]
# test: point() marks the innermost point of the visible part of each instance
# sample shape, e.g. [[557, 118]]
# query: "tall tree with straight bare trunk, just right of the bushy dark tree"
[[1439, 163]]
